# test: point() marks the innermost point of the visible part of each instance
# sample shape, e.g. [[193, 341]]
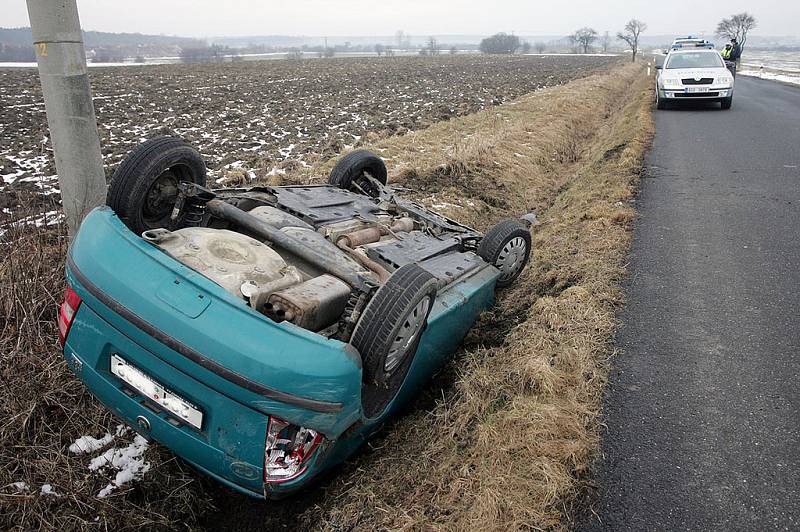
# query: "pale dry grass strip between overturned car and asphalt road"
[[514, 421]]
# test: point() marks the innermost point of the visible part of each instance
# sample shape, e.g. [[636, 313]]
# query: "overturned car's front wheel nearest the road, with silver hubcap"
[[507, 246]]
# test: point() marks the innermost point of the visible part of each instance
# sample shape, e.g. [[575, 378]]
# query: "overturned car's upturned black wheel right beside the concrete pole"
[[143, 188]]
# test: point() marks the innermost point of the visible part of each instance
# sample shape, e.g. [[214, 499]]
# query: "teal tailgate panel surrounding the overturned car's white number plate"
[[230, 444]]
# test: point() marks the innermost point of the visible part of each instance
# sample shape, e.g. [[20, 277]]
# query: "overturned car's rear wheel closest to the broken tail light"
[[389, 331]]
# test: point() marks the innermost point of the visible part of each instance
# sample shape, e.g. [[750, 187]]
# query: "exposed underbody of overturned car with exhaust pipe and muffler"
[[329, 249]]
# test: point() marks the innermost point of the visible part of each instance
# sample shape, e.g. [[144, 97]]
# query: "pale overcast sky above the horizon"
[[205, 18]]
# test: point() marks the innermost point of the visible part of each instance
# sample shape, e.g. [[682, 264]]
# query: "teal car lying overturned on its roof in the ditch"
[[263, 334]]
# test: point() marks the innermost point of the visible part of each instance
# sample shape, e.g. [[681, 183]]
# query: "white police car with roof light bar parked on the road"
[[693, 71]]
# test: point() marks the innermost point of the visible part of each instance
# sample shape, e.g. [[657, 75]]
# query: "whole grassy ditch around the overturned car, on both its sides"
[[506, 431]]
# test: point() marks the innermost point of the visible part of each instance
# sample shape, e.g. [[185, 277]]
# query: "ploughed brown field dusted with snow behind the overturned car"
[[256, 119]]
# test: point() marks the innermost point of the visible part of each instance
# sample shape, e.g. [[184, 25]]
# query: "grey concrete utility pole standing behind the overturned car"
[[58, 41]]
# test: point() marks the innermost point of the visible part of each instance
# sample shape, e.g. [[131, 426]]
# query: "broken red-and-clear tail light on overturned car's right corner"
[[288, 450]]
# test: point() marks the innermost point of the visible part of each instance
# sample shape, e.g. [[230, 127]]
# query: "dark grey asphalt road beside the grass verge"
[[703, 405]]
